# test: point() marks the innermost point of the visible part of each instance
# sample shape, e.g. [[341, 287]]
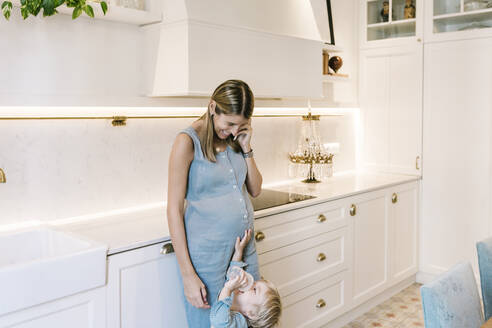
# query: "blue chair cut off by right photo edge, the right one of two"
[[484, 250]]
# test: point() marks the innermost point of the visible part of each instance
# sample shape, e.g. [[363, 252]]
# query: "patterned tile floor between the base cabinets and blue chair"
[[404, 310]]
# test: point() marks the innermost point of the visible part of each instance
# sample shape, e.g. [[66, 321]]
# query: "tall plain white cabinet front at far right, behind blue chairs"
[[456, 189]]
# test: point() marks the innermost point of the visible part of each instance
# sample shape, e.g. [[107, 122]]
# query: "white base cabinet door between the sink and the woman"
[[144, 290]]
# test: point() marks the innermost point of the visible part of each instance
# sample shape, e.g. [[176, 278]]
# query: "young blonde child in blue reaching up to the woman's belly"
[[257, 307]]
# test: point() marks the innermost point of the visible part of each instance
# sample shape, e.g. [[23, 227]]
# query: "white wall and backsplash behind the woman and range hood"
[[60, 169]]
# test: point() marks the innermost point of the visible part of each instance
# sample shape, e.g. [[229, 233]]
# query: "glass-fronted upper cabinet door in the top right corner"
[[457, 19]]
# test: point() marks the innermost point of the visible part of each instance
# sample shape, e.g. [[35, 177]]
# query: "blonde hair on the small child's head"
[[269, 311]]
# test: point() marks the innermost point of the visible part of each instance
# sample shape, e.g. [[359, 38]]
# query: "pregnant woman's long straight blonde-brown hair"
[[233, 97]]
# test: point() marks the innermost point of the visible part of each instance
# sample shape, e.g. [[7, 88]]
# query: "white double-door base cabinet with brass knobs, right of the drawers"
[[385, 239]]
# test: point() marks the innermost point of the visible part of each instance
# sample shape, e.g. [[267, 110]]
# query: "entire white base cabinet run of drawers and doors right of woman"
[[328, 258]]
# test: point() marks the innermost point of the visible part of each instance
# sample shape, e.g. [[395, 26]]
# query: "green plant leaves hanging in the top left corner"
[[33, 7]]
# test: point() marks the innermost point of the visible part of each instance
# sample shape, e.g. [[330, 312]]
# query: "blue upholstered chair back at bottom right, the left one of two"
[[452, 300]]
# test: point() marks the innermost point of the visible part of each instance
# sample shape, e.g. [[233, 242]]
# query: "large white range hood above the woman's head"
[[273, 45]]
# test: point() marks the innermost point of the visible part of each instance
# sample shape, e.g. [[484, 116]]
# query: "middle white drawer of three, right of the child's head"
[[299, 265]]
